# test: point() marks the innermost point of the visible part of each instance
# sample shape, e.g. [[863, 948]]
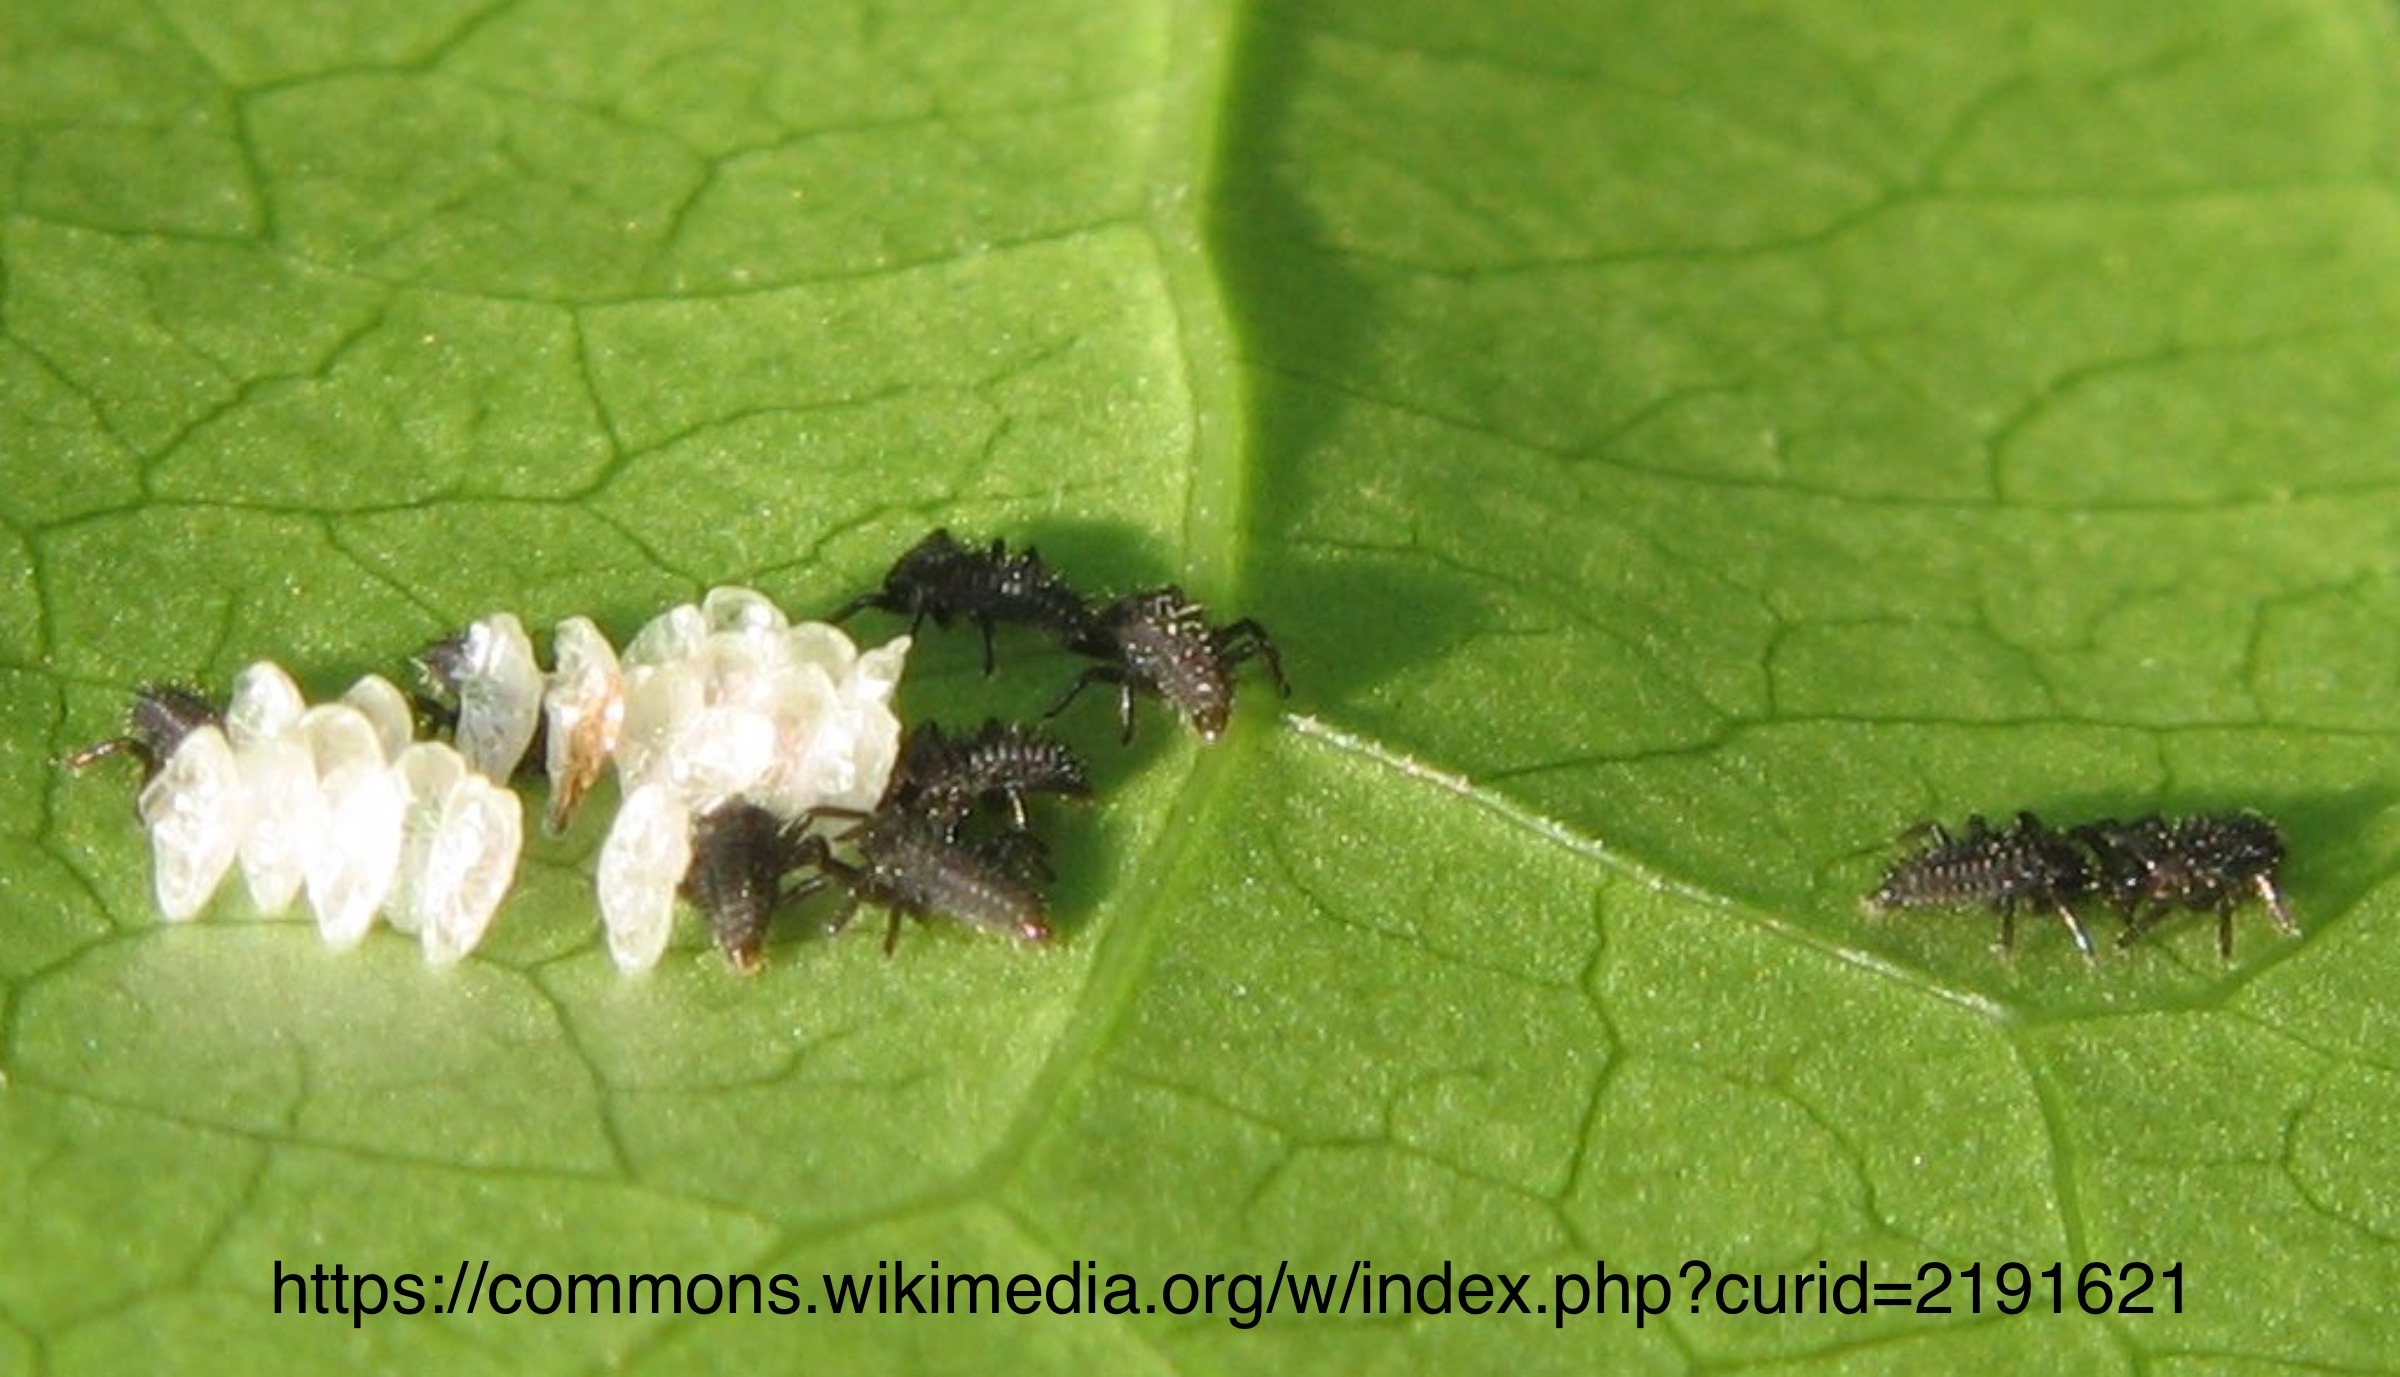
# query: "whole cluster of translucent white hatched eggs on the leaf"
[[712, 704]]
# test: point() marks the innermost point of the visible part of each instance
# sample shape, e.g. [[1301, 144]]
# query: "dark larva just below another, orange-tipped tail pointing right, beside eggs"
[[916, 867]]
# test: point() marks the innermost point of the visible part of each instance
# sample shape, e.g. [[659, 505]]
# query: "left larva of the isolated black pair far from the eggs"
[[2003, 870]]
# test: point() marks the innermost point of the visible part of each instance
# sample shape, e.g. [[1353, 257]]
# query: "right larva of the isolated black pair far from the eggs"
[[2212, 862]]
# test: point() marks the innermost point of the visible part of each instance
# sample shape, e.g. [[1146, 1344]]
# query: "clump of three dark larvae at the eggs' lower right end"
[[949, 838]]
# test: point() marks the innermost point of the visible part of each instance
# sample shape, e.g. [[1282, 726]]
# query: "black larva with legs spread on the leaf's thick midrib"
[[1160, 644]]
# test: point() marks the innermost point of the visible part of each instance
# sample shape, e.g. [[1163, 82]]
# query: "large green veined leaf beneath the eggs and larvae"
[[1676, 450]]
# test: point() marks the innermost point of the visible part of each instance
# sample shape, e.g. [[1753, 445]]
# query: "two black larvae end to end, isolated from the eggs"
[[2147, 870]]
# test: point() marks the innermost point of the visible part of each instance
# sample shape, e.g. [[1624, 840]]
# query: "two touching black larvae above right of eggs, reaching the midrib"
[[1151, 644]]
